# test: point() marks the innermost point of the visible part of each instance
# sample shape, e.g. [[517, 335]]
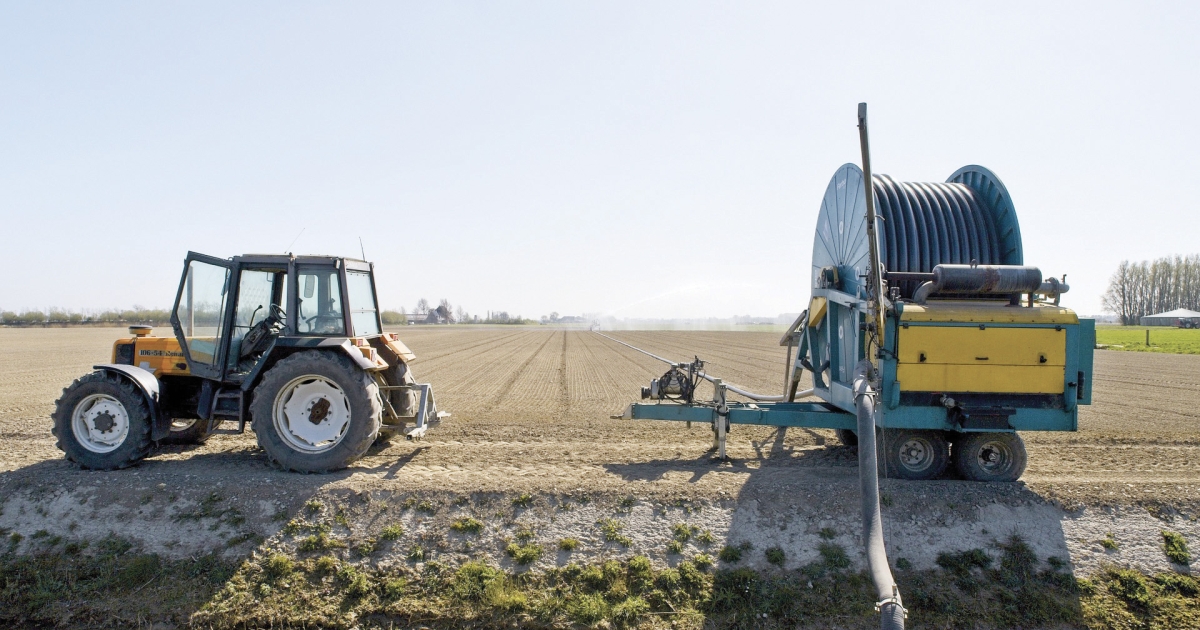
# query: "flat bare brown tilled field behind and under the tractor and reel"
[[532, 413]]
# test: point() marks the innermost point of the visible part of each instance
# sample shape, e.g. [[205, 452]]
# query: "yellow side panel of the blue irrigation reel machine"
[[1027, 358]]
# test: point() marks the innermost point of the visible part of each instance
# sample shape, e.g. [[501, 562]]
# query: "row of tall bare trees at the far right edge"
[[1138, 290]]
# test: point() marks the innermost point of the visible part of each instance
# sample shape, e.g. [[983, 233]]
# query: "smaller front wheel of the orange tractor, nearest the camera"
[[103, 423]]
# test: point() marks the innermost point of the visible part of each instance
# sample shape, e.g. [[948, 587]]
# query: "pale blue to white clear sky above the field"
[[643, 160]]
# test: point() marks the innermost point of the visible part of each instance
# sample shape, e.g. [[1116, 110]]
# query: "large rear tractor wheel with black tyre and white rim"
[[316, 412]]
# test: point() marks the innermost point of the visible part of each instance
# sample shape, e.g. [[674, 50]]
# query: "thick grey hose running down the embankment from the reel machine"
[[890, 605]]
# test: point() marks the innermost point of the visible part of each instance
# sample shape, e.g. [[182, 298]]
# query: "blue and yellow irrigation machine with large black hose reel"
[[962, 345]]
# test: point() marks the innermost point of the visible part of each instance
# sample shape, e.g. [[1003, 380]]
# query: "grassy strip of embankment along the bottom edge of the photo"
[[1007, 586]]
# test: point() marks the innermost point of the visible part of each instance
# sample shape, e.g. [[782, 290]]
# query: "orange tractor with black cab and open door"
[[292, 345]]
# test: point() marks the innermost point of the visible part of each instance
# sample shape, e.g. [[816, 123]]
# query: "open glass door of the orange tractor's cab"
[[202, 311]]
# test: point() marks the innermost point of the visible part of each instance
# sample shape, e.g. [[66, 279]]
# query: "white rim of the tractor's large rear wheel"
[[311, 415]]
